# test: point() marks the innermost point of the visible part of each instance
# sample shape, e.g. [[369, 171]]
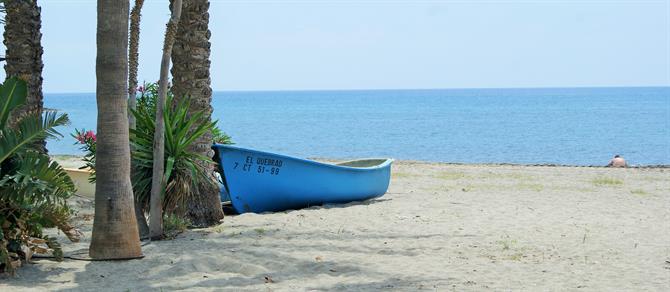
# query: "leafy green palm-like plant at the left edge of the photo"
[[33, 189]]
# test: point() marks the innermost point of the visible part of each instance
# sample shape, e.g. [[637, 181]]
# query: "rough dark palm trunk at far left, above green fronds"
[[22, 38]]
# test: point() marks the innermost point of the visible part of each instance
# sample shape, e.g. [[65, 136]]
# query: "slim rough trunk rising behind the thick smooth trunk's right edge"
[[133, 63]]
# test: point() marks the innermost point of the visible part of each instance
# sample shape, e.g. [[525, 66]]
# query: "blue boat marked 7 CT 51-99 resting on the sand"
[[259, 181]]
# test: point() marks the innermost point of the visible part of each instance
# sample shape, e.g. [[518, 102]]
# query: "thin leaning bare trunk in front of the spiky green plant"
[[158, 177]]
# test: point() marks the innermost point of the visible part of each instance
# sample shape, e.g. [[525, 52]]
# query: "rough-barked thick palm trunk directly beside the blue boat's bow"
[[190, 72]]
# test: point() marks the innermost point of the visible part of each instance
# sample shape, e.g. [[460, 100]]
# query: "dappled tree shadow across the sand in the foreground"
[[206, 260]]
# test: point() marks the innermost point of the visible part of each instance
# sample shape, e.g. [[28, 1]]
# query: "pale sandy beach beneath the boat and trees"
[[440, 227]]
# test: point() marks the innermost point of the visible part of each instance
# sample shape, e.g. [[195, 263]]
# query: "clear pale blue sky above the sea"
[[298, 45]]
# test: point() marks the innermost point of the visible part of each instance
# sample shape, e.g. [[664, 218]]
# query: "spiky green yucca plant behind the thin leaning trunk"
[[183, 168]]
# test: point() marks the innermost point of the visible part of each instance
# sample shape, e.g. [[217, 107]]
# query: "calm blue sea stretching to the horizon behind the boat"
[[575, 126]]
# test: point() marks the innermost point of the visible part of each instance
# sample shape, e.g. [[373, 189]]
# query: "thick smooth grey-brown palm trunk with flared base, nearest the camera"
[[115, 234]]
